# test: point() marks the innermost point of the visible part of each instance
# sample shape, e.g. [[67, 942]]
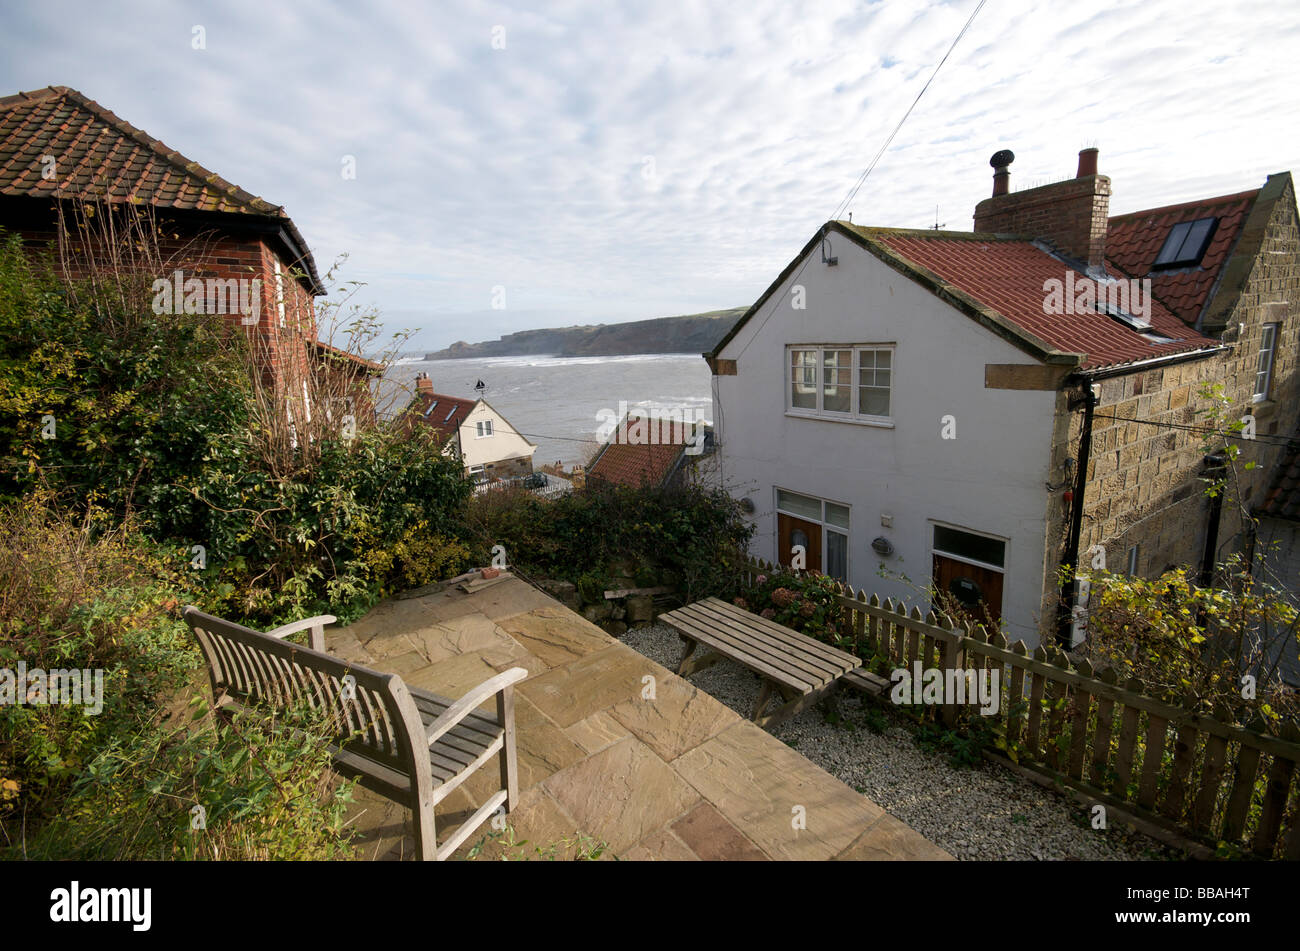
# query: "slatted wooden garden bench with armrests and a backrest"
[[405, 744]]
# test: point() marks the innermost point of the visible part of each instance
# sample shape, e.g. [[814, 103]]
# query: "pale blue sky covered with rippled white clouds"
[[606, 162]]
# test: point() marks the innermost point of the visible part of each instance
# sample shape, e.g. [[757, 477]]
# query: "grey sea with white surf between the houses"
[[560, 403]]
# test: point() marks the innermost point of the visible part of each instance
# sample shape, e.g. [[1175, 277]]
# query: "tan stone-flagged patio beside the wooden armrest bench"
[[612, 746]]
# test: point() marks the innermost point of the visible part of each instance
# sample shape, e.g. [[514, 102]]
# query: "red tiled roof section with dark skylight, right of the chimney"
[[1133, 242]]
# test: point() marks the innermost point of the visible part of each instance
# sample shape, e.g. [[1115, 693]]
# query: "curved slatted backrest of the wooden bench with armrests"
[[370, 713]]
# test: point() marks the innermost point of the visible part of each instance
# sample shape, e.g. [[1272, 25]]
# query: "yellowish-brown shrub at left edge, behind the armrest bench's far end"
[[79, 598]]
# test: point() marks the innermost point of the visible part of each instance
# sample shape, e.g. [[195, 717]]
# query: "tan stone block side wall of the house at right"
[[1145, 475]]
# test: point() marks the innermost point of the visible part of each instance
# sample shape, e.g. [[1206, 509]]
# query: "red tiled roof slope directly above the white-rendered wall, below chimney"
[[1008, 276]]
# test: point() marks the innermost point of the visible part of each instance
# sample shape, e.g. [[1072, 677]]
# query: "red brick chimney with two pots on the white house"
[[1072, 216]]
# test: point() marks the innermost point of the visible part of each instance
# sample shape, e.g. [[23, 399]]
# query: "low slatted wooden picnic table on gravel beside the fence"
[[796, 666]]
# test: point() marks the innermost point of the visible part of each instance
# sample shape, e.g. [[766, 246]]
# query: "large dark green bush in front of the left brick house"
[[162, 419]]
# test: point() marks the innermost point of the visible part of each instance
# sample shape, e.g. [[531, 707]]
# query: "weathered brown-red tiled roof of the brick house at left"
[[103, 158]]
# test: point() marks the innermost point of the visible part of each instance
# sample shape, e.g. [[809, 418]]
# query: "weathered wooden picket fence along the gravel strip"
[[1168, 770]]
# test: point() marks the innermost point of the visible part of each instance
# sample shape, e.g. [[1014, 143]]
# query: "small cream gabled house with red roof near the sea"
[[484, 441]]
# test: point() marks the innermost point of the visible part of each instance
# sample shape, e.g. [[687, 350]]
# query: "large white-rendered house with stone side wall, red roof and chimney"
[[935, 409]]
